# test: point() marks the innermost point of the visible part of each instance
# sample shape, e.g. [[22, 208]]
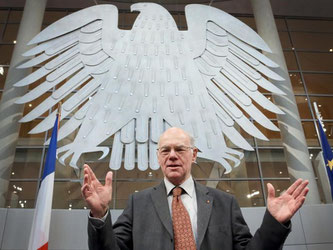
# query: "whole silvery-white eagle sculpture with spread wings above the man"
[[134, 84]]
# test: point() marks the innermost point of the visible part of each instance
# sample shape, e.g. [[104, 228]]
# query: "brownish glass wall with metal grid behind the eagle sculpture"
[[308, 48]]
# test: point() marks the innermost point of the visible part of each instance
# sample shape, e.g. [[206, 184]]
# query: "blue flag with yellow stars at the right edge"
[[328, 155]]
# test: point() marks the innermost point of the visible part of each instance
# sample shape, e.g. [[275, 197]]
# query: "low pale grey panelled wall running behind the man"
[[69, 228]]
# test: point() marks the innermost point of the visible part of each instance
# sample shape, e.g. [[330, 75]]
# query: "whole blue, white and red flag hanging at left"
[[39, 236]]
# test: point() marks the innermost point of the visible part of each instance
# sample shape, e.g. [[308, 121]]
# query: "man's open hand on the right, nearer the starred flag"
[[282, 208]]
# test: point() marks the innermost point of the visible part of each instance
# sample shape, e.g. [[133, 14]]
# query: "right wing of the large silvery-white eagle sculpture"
[[226, 54]]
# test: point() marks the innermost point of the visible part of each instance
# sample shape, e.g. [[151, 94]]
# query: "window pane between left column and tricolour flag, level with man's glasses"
[[26, 163]]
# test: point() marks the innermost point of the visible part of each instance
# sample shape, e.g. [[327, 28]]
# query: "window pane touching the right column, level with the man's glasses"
[[273, 163]]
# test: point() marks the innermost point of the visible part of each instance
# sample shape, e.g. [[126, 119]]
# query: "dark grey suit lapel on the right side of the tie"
[[205, 203]]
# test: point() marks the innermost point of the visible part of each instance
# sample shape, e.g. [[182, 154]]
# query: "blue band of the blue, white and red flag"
[[51, 153]]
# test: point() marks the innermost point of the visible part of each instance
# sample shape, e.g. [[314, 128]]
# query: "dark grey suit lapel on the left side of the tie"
[[160, 202]]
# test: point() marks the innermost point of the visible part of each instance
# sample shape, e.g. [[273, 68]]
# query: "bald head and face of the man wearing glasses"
[[175, 155]]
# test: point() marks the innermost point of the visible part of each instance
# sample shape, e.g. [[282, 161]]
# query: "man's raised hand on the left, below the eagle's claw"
[[96, 195]]
